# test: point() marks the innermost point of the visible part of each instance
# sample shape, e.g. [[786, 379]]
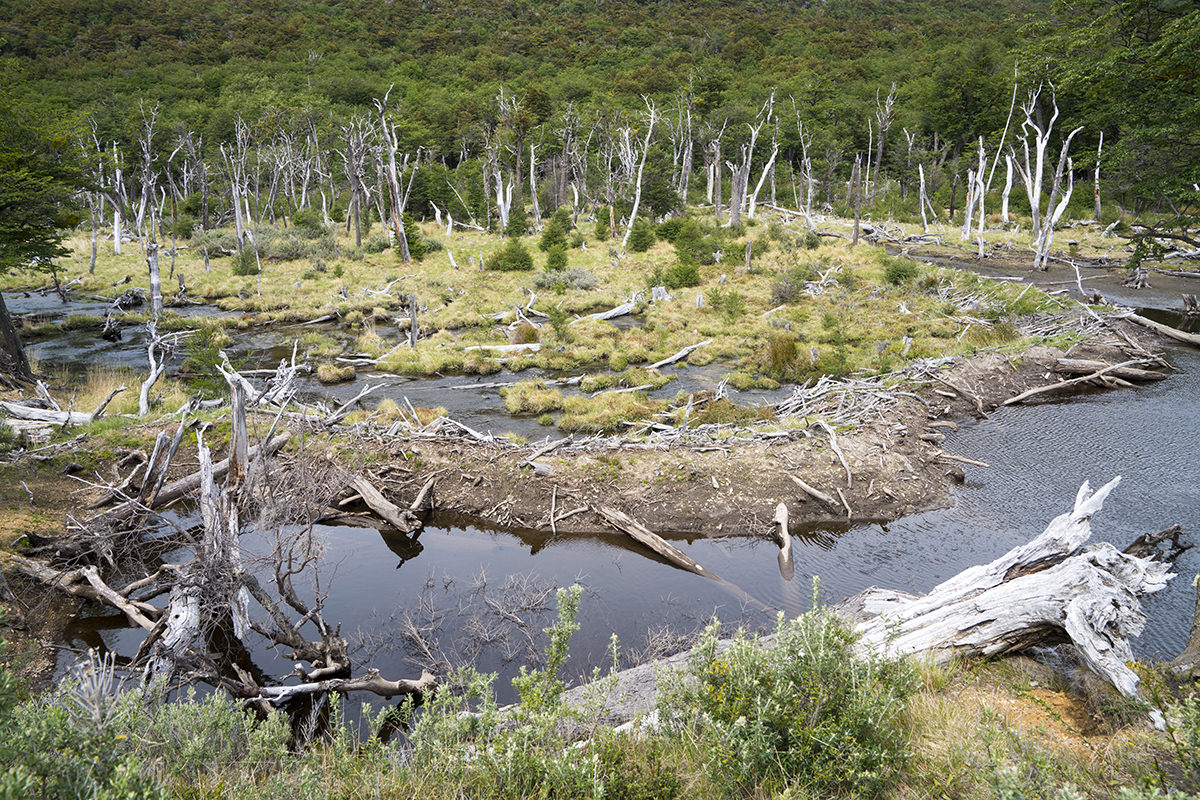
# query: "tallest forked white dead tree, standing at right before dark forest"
[[1031, 169]]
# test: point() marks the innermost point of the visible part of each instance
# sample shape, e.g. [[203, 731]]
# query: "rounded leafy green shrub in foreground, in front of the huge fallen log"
[[807, 712]]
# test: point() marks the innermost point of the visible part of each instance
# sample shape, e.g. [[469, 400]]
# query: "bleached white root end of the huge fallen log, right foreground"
[[1052, 590]]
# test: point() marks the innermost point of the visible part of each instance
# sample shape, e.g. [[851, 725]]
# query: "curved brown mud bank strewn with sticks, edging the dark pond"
[[896, 466]]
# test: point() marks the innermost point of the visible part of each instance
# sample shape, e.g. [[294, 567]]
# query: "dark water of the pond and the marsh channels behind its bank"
[[1039, 453]]
